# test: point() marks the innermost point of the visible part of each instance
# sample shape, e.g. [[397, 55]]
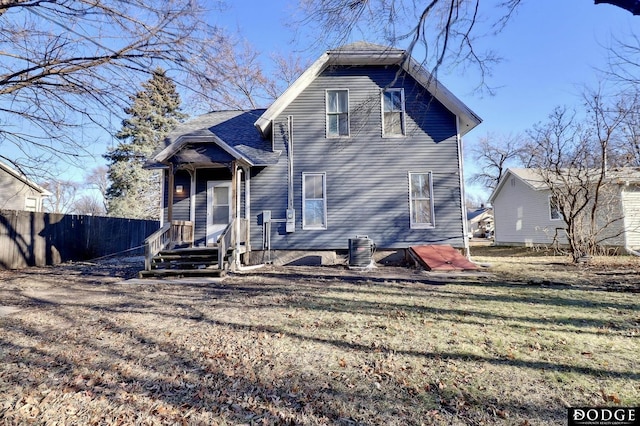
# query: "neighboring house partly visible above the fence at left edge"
[[19, 193]]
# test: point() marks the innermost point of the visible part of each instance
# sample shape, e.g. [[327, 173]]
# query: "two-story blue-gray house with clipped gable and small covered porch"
[[364, 143]]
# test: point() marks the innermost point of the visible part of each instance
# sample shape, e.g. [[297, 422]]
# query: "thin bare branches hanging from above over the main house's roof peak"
[[446, 31]]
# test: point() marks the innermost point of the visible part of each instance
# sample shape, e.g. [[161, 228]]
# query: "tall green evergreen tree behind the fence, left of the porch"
[[134, 191]]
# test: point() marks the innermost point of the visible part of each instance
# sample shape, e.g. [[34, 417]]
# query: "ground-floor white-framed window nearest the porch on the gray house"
[[314, 201]]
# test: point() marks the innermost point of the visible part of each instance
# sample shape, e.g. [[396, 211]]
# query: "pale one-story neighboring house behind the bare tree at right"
[[526, 213]]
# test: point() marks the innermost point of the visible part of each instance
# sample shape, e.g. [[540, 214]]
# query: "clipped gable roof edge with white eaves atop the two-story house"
[[362, 53]]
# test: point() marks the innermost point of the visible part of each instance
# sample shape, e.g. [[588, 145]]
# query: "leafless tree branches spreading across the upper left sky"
[[69, 64]]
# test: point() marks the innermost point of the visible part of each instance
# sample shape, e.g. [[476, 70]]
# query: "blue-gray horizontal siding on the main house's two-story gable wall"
[[367, 175]]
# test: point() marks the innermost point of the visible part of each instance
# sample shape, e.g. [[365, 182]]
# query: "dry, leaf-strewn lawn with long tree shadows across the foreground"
[[514, 344]]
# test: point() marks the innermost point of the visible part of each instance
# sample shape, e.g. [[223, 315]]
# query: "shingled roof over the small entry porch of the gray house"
[[231, 131]]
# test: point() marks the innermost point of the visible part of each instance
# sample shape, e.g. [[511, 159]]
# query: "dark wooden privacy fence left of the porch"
[[37, 239]]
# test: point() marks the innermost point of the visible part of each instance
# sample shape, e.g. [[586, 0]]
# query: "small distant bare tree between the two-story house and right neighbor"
[[494, 154]]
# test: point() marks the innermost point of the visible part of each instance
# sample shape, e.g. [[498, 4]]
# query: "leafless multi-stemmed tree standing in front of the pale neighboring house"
[[571, 157]]
